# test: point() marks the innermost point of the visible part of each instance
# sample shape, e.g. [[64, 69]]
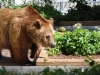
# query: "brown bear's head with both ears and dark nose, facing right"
[[42, 32]]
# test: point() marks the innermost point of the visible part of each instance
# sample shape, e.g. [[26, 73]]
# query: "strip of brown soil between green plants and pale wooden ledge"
[[73, 57]]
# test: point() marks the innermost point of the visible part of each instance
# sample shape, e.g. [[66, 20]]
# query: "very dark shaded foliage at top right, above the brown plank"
[[82, 12]]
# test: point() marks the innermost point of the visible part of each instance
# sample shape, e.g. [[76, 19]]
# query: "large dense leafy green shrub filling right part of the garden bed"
[[82, 42]]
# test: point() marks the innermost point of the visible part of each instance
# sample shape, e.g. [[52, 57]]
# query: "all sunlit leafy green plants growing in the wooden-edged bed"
[[78, 42]]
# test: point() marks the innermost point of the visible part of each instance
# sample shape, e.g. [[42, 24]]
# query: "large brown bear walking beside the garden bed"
[[23, 29]]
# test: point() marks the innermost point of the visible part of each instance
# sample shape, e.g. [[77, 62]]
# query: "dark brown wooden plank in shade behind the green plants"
[[84, 23]]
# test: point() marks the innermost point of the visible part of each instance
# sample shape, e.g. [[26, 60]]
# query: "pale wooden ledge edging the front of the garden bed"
[[43, 60]]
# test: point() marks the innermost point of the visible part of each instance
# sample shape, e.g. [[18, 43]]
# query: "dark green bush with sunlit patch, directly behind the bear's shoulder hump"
[[49, 11]]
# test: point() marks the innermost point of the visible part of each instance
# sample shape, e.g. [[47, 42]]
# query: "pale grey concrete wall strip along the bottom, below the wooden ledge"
[[37, 69]]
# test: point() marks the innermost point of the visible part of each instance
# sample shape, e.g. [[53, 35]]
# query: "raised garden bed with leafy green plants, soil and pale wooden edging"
[[76, 45]]
